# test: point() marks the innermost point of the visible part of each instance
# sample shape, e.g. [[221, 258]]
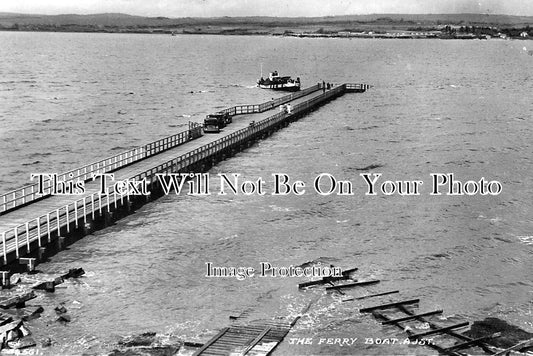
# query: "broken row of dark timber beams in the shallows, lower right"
[[401, 314]]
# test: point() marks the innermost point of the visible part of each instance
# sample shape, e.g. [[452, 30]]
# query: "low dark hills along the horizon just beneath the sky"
[[117, 22]]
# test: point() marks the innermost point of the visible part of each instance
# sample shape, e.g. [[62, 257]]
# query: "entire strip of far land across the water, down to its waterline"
[[444, 26]]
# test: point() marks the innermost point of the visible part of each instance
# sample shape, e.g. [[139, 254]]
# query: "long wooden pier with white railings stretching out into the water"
[[35, 220]]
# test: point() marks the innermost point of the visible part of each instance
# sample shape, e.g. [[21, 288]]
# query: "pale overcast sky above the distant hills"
[[208, 8]]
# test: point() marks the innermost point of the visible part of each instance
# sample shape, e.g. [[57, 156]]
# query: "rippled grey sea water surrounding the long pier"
[[459, 107]]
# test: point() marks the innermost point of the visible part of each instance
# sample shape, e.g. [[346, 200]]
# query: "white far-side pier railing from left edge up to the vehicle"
[[28, 193]]
